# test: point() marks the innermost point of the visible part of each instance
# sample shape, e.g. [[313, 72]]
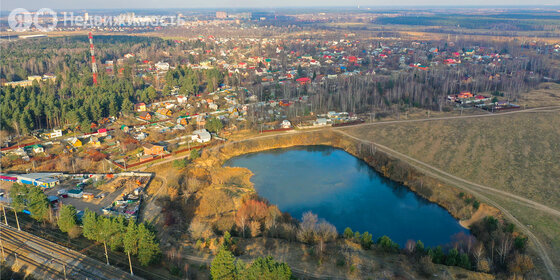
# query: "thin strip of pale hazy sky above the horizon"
[[162, 4]]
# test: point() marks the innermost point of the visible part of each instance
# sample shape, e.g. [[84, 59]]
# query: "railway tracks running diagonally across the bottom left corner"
[[48, 259]]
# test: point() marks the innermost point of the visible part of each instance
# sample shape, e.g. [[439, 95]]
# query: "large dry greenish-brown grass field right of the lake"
[[517, 153]]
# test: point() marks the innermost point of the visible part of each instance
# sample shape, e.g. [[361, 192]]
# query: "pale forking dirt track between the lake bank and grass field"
[[479, 191]]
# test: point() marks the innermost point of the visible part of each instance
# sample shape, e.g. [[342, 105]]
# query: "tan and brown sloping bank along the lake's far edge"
[[431, 189]]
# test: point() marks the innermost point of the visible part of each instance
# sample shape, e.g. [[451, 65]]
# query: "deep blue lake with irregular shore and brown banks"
[[346, 192]]
